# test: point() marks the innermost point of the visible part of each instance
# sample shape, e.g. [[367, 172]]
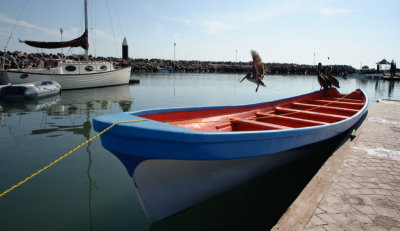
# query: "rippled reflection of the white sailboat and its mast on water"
[[82, 104]]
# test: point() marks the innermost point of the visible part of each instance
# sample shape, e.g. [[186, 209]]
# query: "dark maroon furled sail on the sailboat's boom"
[[78, 42]]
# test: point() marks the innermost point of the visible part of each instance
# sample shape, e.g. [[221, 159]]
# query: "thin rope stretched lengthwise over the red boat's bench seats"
[[260, 117]]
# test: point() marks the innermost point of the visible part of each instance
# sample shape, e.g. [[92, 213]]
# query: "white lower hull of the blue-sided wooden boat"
[[166, 187]]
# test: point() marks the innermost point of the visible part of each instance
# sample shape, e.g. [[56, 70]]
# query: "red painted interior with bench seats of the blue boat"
[[316, 109]]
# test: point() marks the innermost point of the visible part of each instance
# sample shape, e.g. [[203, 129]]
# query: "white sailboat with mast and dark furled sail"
[[70, 74]]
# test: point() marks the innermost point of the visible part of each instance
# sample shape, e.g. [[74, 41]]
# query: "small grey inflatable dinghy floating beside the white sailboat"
[[30, 90]]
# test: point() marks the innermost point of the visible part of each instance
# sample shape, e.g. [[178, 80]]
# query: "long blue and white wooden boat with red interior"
[[179, 157]]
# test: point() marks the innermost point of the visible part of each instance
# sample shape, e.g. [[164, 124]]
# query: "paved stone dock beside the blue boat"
[[358, 188]]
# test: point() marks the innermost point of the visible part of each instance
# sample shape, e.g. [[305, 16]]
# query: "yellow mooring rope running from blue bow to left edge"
[[65, 155]]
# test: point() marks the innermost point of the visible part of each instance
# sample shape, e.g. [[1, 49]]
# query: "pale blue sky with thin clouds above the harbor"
[[333, 32]]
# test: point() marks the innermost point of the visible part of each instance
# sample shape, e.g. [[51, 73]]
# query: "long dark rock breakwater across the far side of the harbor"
[[19, 59]]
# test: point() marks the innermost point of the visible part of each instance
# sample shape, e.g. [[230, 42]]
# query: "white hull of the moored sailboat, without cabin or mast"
[[72, 81]]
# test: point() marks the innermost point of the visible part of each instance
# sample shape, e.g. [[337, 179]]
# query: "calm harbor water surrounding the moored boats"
[[91, 190]]
